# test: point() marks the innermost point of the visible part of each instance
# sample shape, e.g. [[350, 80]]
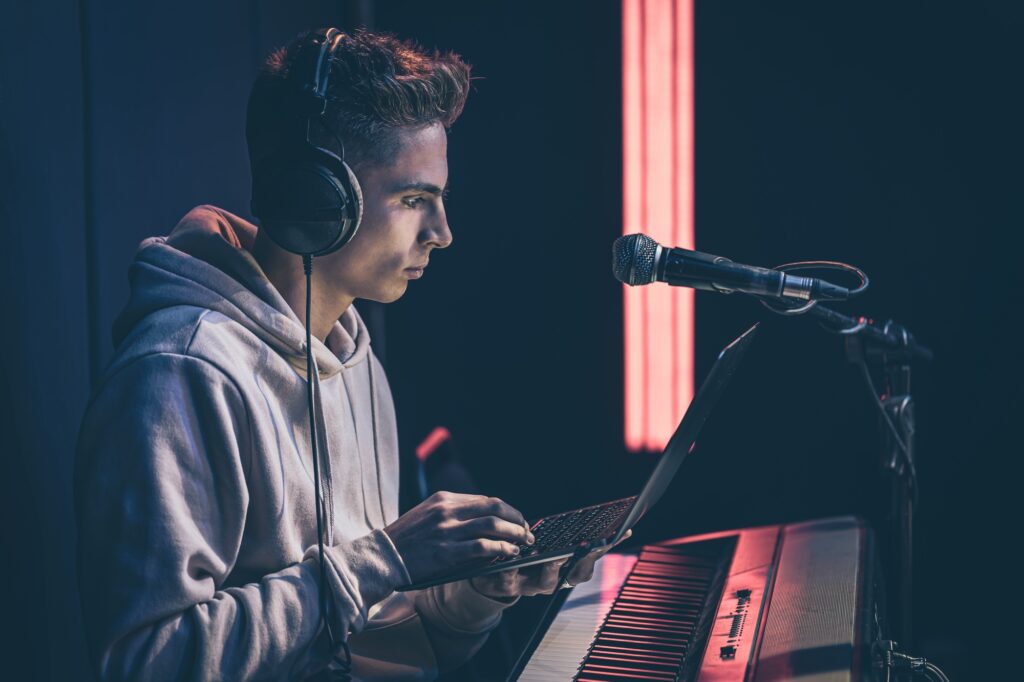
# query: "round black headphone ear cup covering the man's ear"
[[310, 202]]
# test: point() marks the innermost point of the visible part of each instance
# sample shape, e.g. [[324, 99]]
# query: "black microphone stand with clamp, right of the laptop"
[[890, 349]]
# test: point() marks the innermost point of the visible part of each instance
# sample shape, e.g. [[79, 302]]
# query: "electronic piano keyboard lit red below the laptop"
[[788, 603]]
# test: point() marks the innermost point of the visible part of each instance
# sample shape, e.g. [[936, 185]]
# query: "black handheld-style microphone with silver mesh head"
[[637, 260]]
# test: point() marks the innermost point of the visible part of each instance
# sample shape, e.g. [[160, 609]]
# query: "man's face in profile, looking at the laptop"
[[403, 220]]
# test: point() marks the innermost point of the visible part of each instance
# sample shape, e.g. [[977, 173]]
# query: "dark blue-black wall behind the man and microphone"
[[881, 134]]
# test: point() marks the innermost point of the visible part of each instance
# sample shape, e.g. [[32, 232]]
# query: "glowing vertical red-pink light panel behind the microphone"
[[658, 159]]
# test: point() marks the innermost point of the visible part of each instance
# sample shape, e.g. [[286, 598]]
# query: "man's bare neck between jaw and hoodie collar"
[[285, 273]]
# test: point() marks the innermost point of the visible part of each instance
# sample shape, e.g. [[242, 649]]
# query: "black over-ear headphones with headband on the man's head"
[[307, 198]]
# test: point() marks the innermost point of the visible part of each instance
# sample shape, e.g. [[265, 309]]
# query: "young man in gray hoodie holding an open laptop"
[[198, 541]]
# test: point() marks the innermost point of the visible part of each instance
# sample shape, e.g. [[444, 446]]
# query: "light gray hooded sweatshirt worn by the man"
[[194, 486]]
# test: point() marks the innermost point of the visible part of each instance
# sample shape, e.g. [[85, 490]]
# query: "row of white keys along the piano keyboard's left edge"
[[571, 634]]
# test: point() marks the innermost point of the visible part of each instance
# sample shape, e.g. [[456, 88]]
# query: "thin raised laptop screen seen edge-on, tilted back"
[[686, 437]]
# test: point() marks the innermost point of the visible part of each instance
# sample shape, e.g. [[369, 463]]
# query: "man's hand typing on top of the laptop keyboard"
[[450, 529]]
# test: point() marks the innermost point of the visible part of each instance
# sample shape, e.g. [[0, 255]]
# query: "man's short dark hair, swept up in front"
[[378, 86]]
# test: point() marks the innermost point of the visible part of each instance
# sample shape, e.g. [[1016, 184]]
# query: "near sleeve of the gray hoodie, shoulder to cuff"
[[161, 502]]
